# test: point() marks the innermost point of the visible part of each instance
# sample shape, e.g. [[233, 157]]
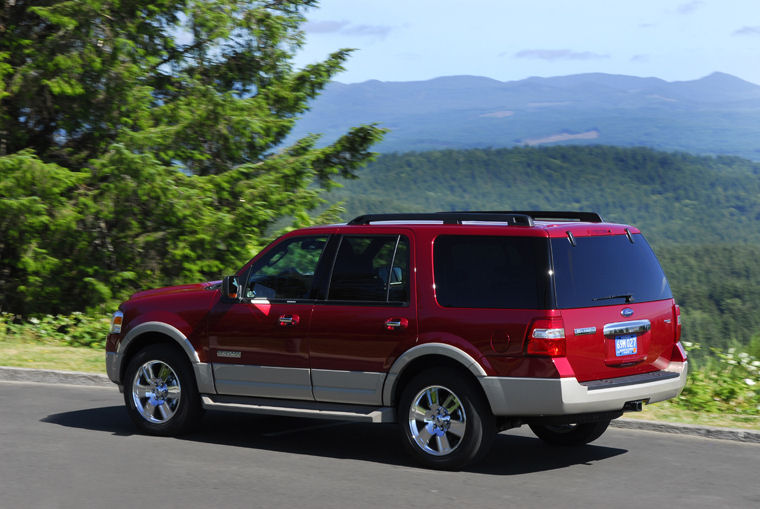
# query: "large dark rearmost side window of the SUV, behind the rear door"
[[492, 272]]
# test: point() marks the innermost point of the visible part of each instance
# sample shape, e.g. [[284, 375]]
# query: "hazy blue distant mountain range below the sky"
[[718, 114]]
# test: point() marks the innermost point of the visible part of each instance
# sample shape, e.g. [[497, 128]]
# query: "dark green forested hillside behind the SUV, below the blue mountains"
[[699, 213]]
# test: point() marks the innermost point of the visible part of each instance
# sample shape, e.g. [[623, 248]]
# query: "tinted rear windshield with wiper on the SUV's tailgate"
[[607, 270]]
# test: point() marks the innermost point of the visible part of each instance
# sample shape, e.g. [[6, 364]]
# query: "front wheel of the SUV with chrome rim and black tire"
[[160, 391]]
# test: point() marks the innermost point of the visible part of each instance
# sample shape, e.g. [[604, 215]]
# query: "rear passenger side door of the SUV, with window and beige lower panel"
[[368, 317]]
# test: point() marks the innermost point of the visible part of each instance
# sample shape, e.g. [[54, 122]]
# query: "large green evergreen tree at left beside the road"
[[141, 142]]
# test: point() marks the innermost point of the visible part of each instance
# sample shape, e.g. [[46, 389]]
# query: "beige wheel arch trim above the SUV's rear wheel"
[[421, 357]]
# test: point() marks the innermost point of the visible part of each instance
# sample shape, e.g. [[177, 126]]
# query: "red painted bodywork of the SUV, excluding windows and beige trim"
[[322, 335]]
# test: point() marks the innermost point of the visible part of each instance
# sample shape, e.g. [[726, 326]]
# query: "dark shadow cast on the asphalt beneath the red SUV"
[[511, 454]]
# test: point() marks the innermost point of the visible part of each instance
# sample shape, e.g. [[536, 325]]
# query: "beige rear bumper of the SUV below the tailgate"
[[512, 396]]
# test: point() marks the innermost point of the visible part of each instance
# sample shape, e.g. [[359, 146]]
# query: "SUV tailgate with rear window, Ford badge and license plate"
[[616, 304]]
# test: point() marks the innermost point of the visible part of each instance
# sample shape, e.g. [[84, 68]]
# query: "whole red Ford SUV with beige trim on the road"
[[456, 325]]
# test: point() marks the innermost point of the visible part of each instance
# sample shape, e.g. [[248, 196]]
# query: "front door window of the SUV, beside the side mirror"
[[287, 271]]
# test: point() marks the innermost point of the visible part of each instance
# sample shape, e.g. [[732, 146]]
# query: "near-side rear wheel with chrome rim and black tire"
[[454, 430]]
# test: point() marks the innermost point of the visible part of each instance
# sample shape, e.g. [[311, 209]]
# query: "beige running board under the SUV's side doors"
[[296, 408]]
